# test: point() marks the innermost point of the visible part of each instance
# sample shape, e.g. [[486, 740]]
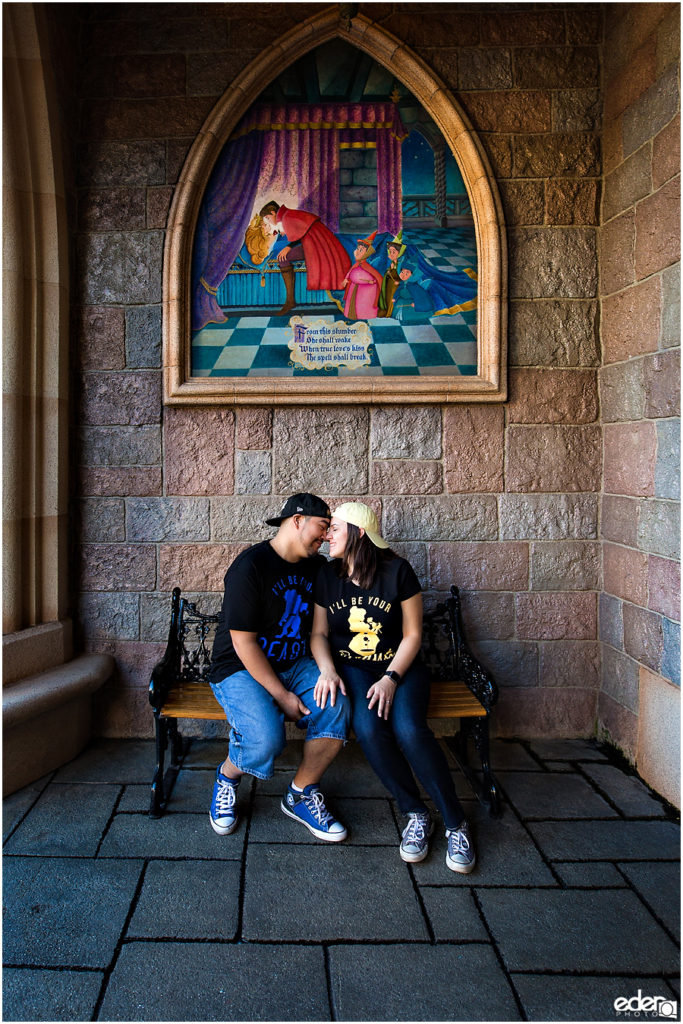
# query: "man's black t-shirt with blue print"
[[269, 596]]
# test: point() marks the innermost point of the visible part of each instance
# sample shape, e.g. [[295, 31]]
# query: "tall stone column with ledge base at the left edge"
[[47, 718]]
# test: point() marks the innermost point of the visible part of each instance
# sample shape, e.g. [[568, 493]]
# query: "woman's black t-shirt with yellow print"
[[366, 626]]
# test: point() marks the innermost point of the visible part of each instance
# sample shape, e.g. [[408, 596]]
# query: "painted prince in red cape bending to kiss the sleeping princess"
[[327, 261]]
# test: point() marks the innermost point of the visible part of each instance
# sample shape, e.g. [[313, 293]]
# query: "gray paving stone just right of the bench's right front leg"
[[554, 796]]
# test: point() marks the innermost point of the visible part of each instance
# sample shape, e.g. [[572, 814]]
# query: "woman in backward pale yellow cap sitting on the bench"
[[366, 642]]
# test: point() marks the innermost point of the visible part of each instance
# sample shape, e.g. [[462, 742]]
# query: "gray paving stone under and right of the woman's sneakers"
[[506, 856]]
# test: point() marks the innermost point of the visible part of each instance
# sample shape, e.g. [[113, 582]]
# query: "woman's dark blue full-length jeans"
[[403, 743]]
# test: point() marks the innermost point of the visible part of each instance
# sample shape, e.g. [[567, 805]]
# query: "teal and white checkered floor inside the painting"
[[258, 347]]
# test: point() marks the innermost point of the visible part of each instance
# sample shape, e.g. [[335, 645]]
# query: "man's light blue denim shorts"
[[258, 722]]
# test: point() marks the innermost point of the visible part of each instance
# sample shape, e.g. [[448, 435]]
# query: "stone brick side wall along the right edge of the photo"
[[641, 376]]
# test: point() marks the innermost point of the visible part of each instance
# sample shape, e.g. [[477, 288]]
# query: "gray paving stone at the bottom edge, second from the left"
[[239, 984]]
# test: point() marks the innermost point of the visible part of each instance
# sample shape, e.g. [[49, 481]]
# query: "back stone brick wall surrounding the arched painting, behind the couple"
[[504, 500]]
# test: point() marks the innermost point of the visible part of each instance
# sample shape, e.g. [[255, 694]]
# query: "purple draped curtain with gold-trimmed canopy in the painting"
[[291, 148]]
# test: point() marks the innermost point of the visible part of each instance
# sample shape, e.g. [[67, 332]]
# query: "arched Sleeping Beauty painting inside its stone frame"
[[335, 235]]
